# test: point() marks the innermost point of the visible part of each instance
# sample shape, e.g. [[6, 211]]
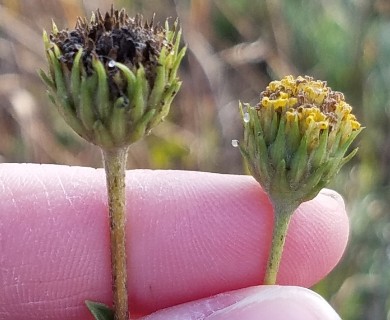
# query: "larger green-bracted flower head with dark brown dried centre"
[[113, 77]]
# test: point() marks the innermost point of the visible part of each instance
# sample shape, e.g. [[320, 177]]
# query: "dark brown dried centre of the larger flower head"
[[115, 37]]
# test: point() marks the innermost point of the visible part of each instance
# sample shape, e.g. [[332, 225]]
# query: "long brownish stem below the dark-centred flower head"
[[115, 166]]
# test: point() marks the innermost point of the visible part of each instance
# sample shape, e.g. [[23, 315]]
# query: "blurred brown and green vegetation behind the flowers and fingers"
[[234, 49]]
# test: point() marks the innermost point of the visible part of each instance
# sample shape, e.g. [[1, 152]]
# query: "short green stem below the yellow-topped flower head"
[[282, 217]]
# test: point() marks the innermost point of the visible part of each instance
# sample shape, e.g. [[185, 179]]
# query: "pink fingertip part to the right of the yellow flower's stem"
[[317, 238]]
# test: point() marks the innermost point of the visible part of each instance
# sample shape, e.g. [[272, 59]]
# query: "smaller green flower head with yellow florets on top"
[[296, 138]]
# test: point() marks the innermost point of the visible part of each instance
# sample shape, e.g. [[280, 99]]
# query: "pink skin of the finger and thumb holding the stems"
[[191, 235]]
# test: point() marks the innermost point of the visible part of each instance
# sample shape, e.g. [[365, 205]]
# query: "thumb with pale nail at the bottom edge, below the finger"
[[261, 302]]
